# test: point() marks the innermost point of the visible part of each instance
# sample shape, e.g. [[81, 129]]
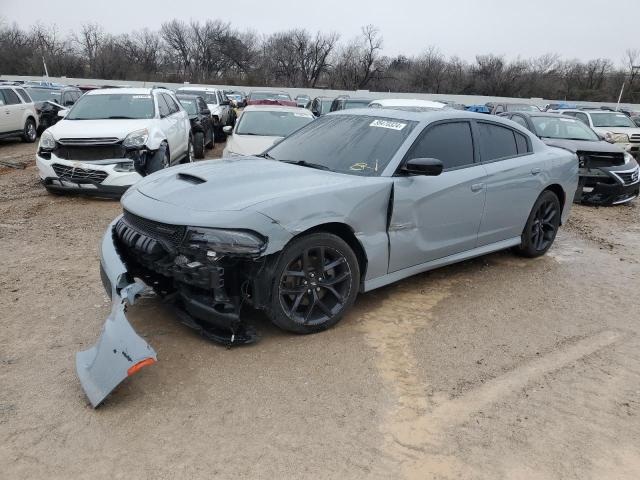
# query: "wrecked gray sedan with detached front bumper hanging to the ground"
[[351, 202]]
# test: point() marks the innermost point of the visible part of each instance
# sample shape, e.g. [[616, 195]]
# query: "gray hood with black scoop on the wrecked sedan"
[[242, 182]]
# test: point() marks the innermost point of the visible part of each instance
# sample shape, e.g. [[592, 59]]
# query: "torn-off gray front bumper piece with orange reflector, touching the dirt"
[[120, 351]]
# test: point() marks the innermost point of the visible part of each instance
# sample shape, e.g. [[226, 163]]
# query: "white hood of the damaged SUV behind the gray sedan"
[[96, 128]]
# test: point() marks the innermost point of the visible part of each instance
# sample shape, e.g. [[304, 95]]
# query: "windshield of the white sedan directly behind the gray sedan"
[[271, 124]]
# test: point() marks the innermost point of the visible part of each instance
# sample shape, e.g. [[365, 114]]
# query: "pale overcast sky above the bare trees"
[[581, 29]]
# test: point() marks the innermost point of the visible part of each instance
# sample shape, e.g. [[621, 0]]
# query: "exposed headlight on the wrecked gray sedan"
[[226, 242]]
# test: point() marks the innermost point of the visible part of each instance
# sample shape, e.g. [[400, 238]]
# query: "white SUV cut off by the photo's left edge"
[[18, 116]]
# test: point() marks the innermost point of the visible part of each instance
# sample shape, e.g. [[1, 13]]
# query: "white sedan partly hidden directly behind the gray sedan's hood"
[[260, 126]]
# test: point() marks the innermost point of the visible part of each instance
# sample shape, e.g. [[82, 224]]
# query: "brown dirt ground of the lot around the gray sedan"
[[496, 368]]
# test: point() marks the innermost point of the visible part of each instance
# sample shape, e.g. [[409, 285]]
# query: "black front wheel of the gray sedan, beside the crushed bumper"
[[311, 298]]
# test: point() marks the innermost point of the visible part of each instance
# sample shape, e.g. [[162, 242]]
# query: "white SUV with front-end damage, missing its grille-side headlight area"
[[111, 137]]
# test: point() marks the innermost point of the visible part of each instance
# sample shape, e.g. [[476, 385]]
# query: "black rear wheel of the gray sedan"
[[542, 226]]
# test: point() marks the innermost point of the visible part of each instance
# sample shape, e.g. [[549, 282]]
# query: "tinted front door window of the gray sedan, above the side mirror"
[[451, 143]]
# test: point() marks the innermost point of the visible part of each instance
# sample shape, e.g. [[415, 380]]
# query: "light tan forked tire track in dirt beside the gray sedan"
[[415, 428]]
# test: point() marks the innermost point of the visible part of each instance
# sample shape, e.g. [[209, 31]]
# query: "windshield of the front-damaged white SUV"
[[112, 106]]
